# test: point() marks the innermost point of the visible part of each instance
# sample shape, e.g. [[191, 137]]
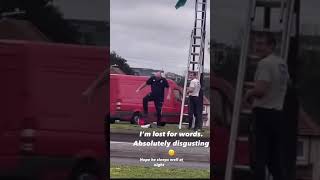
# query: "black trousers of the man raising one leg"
[[158, 102]]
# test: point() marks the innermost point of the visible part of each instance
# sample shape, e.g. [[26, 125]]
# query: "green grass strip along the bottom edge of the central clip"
[[125, 171]]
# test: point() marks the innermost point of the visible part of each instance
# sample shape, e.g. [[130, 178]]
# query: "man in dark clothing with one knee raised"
[[158, 84]]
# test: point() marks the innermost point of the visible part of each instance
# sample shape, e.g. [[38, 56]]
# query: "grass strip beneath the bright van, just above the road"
[[125, 127]]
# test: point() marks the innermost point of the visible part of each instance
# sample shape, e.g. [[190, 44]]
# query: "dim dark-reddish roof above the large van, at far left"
[[14, 29]]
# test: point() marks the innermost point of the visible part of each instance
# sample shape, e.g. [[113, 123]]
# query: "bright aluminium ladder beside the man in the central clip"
[[196, 50]]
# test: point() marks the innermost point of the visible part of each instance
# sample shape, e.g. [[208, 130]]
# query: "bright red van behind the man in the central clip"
[[126, 104]]
